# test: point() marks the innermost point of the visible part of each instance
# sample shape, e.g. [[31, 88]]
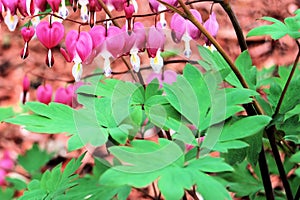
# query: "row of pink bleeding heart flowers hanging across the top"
[[103, 38]]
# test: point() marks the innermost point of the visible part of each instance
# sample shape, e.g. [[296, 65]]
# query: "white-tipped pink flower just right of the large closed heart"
[[79, 48]]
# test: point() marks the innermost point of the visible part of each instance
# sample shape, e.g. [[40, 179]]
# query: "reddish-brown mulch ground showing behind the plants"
[[264, 51]]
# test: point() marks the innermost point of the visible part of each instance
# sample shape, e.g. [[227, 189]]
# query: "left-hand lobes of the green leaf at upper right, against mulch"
[[276, 30]]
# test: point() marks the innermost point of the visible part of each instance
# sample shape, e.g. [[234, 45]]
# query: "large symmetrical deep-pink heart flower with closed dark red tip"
[[50, 35]]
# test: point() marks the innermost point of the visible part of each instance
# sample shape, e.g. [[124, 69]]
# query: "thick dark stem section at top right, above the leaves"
[[239, 33]]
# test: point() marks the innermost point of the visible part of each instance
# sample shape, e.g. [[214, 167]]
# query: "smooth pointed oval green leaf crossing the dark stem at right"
[[244, 127]]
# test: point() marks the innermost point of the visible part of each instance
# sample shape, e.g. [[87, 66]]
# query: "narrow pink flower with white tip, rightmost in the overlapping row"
[[155, 45]]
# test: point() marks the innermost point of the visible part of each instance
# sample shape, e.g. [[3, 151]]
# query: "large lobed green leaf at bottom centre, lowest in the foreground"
[[147, 161]]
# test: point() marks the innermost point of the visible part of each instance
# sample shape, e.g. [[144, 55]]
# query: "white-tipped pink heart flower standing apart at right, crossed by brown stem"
[[183, 29]]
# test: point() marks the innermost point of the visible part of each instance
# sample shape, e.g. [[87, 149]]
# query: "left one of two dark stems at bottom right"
[[264, 171]]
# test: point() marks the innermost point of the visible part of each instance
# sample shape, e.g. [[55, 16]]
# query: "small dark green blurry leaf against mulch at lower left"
[[34, 159]]
